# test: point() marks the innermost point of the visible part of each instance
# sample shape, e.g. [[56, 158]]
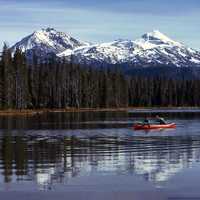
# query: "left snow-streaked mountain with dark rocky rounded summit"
[[47, 41]]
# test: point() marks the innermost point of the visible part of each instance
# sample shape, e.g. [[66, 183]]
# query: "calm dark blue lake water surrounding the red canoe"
[[99, 151]]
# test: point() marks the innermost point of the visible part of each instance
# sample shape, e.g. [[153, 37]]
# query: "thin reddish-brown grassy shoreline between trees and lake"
[[30, 112]]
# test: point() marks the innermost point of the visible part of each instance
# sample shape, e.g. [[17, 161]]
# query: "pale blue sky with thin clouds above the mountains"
[[102, 20]]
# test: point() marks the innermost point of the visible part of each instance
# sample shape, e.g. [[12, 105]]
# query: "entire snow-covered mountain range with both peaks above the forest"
[[152, 49]]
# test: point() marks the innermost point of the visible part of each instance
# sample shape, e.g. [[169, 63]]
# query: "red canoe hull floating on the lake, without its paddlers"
[[153, 126]]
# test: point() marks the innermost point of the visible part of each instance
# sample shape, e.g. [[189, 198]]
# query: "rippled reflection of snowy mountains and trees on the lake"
[[47, 159]]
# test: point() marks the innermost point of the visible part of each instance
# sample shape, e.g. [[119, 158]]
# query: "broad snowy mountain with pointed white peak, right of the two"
[[152, 49]]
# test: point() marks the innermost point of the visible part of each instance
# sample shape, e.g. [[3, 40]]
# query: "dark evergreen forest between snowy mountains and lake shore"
[[56, 84]]
